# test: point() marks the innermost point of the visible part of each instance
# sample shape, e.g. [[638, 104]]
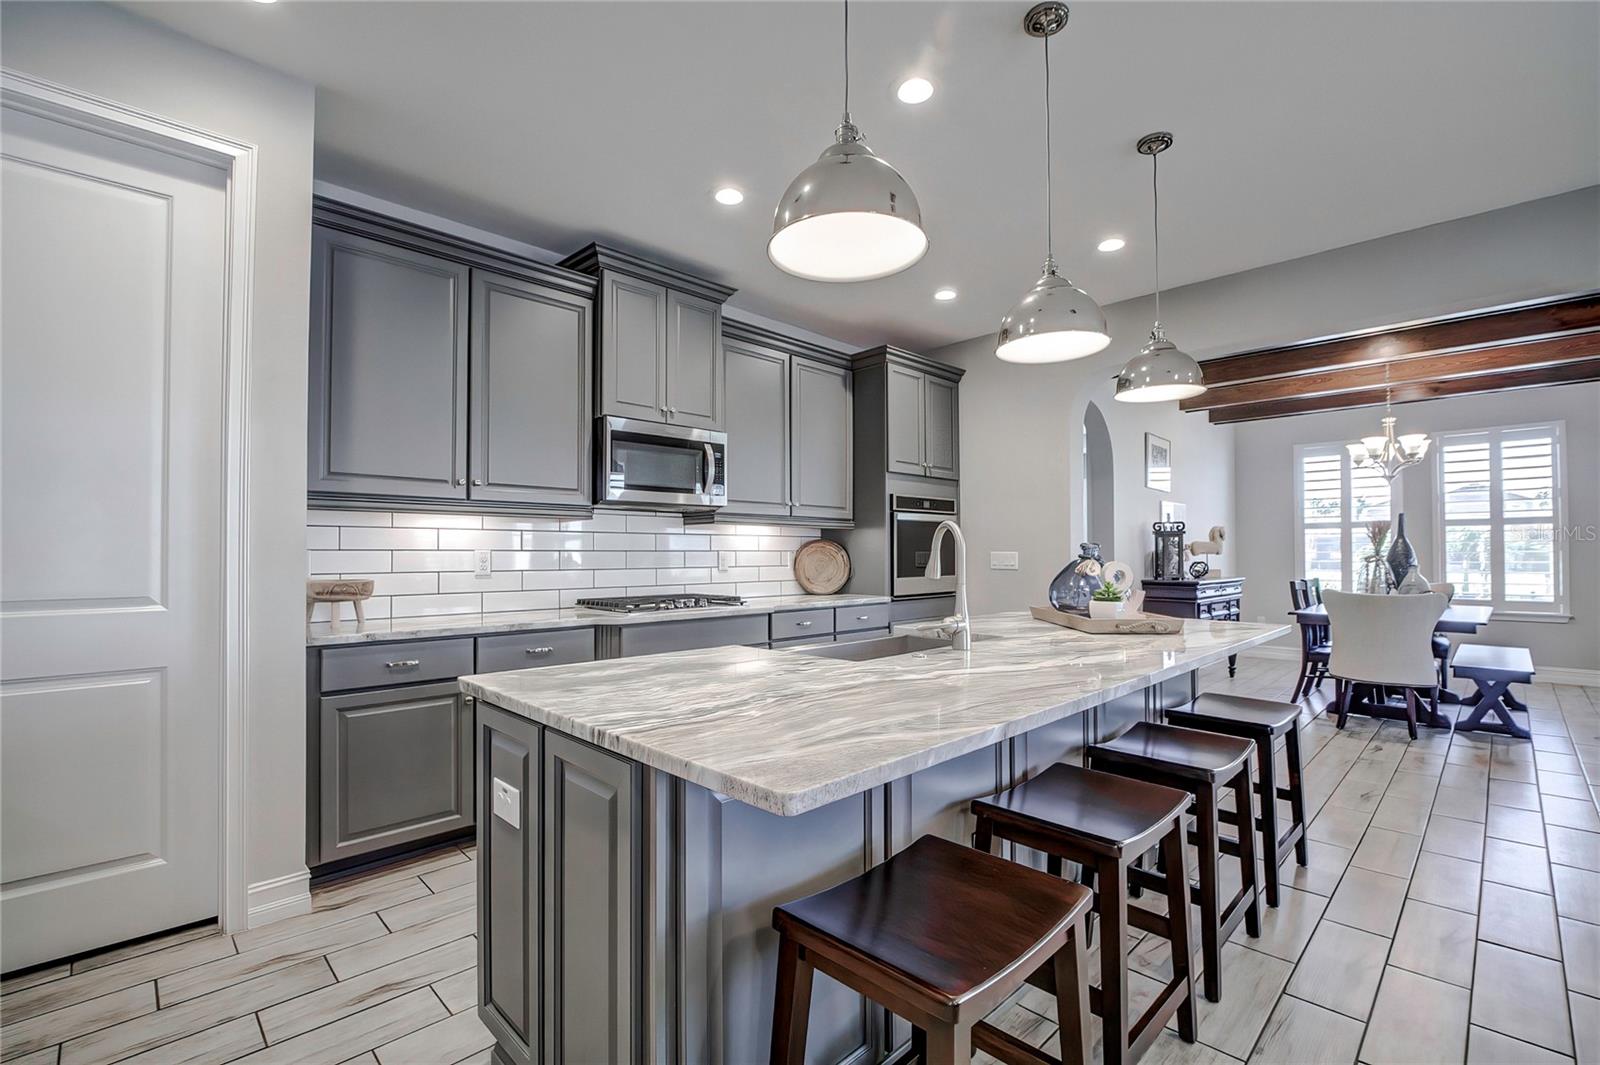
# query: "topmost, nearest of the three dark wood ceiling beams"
[[1401, 343]]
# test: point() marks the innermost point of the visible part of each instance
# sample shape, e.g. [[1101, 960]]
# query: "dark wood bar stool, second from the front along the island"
[[1105, 823]]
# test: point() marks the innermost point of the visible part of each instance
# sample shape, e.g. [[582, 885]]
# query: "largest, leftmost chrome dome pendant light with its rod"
[[849, 217]]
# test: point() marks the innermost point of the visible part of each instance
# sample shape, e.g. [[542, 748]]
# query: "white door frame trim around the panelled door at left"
[[238, 159]]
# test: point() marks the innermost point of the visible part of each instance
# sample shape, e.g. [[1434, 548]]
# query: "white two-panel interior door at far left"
[[111, 536]]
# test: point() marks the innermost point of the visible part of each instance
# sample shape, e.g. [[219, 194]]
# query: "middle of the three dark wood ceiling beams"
[[1335, 385]]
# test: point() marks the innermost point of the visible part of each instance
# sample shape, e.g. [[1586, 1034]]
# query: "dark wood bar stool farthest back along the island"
[[1265, 722]]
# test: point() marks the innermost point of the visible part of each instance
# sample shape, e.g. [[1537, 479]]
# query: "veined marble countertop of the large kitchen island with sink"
[[790, 732]]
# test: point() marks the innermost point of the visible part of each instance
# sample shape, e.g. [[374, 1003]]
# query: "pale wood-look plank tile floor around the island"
[[1450, 914]]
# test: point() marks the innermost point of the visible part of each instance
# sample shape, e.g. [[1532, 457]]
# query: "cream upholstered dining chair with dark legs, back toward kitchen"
[[1385, 642]]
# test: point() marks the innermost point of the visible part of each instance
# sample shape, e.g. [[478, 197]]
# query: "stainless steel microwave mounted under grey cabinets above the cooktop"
[[652, 465]]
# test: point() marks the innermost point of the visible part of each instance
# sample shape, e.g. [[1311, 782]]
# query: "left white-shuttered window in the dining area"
[[1335, 505]]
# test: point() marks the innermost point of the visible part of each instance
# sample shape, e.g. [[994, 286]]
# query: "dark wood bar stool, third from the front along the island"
[[1202, 764]]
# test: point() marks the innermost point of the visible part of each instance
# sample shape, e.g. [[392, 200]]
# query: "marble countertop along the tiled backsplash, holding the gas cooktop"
[[329, 634]]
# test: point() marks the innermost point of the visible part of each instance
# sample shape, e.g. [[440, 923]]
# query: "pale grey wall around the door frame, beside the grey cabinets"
[[114, 55]]
